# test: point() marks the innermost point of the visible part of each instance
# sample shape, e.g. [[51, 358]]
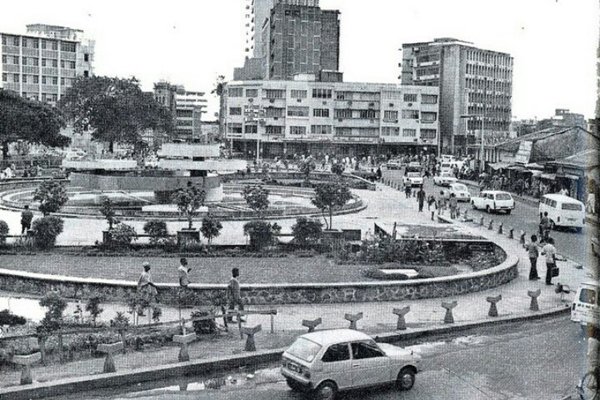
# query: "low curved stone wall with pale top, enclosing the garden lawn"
[[81, 288]]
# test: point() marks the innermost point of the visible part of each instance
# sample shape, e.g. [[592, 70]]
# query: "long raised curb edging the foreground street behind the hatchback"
[[196, 367]]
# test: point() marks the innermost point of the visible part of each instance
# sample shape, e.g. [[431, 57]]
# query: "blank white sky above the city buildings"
[[191, 42]]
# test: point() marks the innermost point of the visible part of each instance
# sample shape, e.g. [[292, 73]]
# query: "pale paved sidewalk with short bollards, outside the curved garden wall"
[[387, 205]]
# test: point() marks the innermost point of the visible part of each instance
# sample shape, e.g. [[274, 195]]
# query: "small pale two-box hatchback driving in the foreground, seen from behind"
[[326, 362]]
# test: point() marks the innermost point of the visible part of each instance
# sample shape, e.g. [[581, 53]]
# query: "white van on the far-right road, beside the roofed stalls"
[[563, 211]]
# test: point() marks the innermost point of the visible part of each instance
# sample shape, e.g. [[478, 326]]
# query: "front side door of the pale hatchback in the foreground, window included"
[[370, 365]]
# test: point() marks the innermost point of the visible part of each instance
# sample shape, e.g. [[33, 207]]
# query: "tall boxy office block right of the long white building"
[[475, 90]]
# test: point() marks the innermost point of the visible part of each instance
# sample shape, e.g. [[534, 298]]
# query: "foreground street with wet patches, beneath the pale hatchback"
[[530, 360]]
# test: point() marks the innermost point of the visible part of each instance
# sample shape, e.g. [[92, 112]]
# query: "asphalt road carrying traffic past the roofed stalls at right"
[[524, 217]]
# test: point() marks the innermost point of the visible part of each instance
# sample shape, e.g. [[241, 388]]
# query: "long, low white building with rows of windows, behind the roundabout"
[[342, 118]]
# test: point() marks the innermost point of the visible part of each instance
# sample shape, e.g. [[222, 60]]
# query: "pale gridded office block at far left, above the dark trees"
[[43, 63]]
